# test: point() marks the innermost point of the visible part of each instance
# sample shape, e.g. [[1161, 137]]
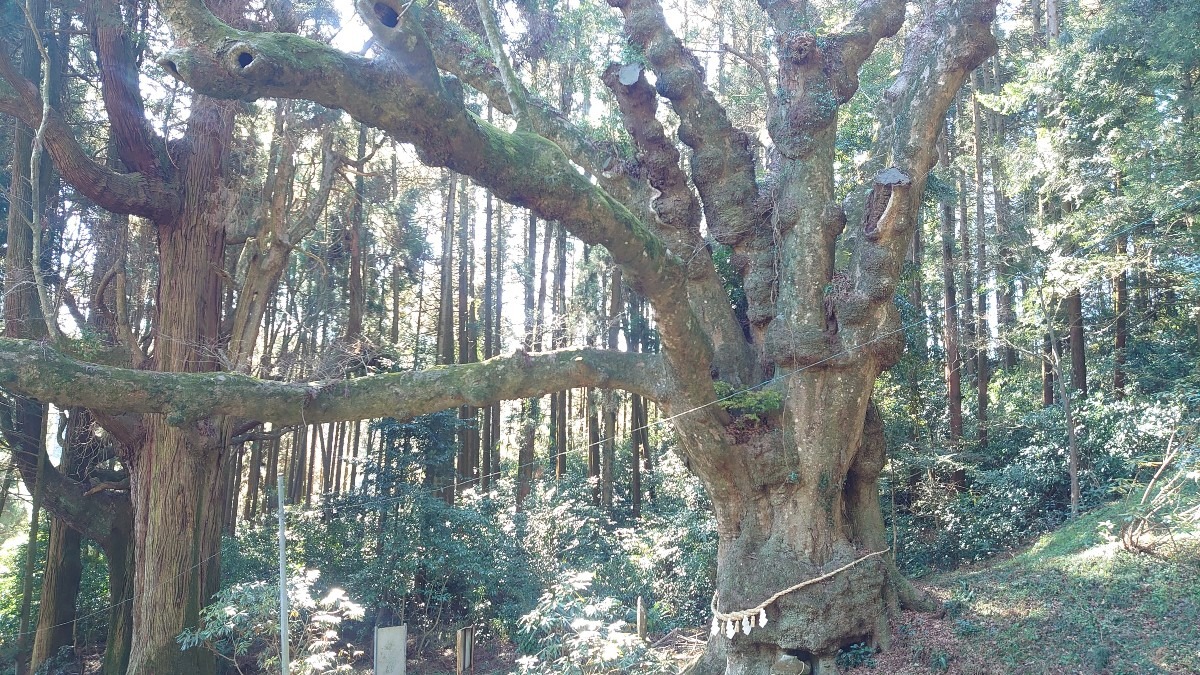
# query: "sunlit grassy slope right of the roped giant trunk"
[[1073, 602]]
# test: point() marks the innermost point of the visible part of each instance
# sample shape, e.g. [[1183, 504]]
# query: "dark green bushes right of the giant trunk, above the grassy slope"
[[1021, 486]]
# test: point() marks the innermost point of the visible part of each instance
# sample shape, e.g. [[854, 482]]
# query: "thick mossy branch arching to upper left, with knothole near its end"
[[406, 97]]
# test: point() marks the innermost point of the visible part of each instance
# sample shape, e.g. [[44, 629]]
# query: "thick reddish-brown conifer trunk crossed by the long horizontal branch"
[[172, 480]]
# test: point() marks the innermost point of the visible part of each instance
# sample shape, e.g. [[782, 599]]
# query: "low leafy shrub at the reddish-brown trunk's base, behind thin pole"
[[243, 626]]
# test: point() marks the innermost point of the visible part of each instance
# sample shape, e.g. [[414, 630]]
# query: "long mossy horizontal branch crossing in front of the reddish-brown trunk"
[[35, 371]]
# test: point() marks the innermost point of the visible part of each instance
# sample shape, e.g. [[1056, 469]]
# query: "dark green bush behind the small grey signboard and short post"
[[410, 555]]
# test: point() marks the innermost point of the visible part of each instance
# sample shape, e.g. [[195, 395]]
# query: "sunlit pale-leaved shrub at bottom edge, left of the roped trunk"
[[574, 632]]
